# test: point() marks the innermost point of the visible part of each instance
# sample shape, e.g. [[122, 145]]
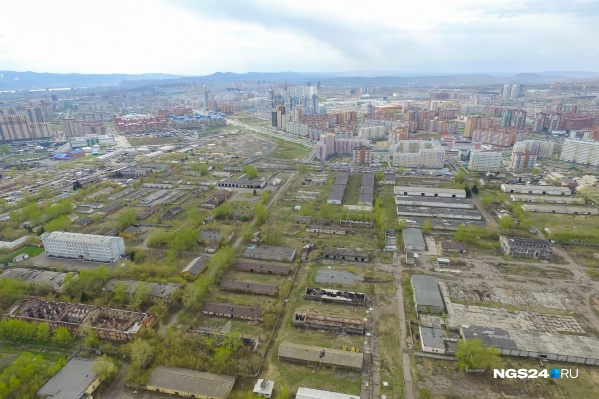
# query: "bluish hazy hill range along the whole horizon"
[[11, 80]]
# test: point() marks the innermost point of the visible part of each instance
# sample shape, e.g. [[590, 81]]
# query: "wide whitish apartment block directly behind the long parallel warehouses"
[[418, 154]]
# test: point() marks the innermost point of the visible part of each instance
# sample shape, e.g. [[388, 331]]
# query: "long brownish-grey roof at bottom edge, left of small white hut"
[[191, 382]]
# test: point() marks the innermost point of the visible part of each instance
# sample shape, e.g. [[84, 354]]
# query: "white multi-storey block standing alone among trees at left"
[[83, 246]]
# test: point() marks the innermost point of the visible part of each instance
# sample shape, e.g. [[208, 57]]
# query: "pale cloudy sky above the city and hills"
[[197, 37]]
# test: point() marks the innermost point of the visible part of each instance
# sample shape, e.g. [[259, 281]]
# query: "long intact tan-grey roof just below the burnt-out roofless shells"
[[333, 357]]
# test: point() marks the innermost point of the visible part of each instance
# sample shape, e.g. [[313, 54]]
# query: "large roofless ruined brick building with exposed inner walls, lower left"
[[111, 324]]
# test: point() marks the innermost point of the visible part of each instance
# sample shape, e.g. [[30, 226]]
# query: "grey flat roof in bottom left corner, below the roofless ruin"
[[71, 381]]
